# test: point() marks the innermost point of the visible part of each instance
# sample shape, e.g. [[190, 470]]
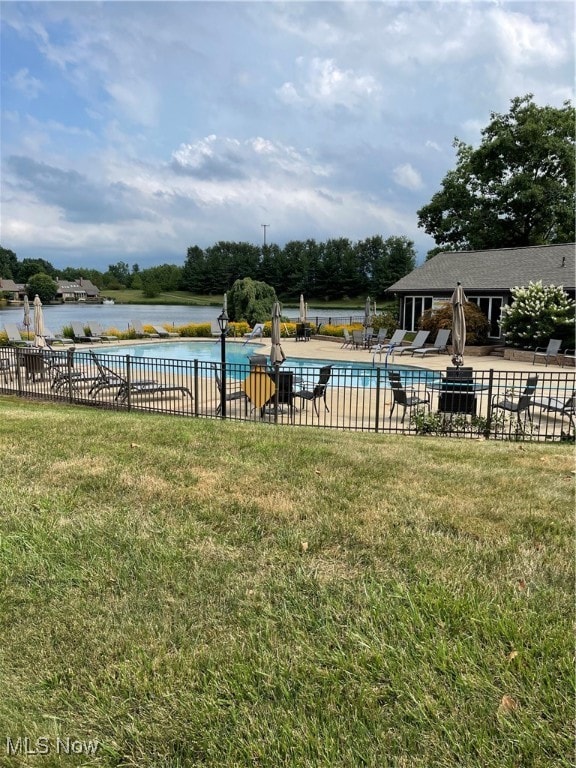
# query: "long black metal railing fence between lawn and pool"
[[490, 404]]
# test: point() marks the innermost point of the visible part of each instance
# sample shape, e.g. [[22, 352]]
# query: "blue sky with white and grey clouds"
[[131, 131]]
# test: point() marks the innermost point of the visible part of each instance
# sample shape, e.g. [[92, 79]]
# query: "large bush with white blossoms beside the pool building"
[[538, 313]]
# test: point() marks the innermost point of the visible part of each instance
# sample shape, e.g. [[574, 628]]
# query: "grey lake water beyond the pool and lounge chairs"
[[120, 316]]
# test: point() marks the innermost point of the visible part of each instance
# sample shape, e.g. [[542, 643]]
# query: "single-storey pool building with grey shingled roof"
[[487, 278]]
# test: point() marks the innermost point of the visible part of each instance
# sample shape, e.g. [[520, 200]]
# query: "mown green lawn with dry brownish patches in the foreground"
[[194, 593]]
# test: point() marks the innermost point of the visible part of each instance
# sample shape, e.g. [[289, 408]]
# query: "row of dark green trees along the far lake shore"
[[334, 269]]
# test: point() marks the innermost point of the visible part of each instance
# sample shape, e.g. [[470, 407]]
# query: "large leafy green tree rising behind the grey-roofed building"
[[516, 189]]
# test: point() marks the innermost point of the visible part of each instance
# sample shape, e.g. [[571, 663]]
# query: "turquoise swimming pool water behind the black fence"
[[357, 374]]
